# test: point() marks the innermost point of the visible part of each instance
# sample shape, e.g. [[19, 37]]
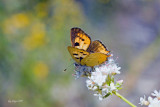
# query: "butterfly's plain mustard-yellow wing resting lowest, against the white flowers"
[[94, 59]]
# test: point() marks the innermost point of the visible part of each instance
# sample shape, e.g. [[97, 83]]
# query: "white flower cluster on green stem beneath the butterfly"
[[101, 80]]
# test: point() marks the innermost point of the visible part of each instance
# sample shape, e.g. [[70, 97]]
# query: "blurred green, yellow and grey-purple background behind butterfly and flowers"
[[34, 35]]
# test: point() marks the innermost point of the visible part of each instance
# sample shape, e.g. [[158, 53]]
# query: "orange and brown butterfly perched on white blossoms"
[[87, 52]]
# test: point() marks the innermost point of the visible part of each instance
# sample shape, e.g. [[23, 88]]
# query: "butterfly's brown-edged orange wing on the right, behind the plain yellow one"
[[97, 47]]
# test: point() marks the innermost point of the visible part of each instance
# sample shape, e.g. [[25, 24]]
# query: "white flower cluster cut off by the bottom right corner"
[[151, 102]]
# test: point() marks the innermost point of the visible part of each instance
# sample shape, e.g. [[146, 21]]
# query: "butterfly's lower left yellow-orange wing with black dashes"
[[77, 54]]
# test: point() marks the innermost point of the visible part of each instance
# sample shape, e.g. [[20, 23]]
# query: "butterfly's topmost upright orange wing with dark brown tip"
[[80, 39]]
